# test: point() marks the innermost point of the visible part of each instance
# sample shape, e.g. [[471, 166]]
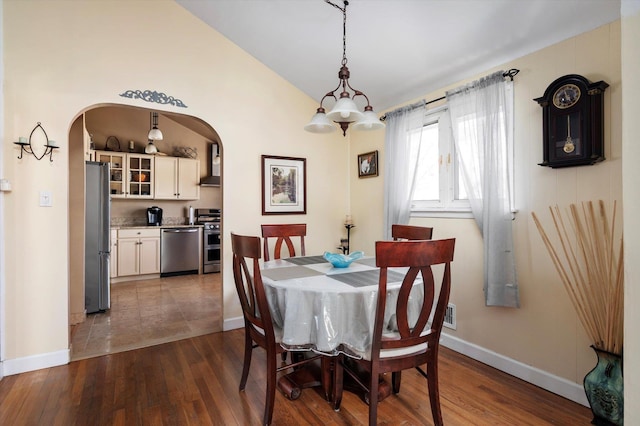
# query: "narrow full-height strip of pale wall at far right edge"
[[630, 12]]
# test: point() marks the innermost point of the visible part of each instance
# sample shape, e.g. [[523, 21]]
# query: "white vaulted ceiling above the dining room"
[[397, 50]]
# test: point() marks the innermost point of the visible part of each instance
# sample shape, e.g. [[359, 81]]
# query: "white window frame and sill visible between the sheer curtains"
[[447, 206]]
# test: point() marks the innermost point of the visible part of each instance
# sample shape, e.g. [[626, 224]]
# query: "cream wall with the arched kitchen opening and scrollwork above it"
[[96, 51]]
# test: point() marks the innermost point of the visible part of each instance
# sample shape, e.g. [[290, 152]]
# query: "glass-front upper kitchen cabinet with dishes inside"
[[131, 174]]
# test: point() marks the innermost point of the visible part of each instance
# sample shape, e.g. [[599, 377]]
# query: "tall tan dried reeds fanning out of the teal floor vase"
[[590, 264]]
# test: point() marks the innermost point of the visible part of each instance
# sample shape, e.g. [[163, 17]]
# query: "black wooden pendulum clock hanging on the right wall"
[[573, 122]]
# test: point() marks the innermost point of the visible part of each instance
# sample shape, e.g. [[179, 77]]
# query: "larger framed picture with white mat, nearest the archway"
[[284, 185]]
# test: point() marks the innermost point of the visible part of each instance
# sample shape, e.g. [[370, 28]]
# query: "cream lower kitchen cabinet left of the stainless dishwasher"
[[138, 251]]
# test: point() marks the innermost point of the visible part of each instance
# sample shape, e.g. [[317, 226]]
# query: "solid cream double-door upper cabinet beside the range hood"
[[177, 178]]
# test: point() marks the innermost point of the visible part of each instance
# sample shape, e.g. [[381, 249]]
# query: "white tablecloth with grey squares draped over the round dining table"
[[327, 309]]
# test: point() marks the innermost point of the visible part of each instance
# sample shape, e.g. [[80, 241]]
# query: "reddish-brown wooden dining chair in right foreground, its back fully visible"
[[411, 345]]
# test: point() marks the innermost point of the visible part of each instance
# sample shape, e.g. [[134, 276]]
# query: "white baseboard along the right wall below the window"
[[535, 376]]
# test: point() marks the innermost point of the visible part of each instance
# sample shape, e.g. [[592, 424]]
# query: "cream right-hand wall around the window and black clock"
[[544, 333]]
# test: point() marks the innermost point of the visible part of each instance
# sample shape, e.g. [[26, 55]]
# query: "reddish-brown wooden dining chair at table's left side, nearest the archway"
[[258, 326]]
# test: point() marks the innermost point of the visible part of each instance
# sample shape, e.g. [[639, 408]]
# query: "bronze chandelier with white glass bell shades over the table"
[[345, 110]]
